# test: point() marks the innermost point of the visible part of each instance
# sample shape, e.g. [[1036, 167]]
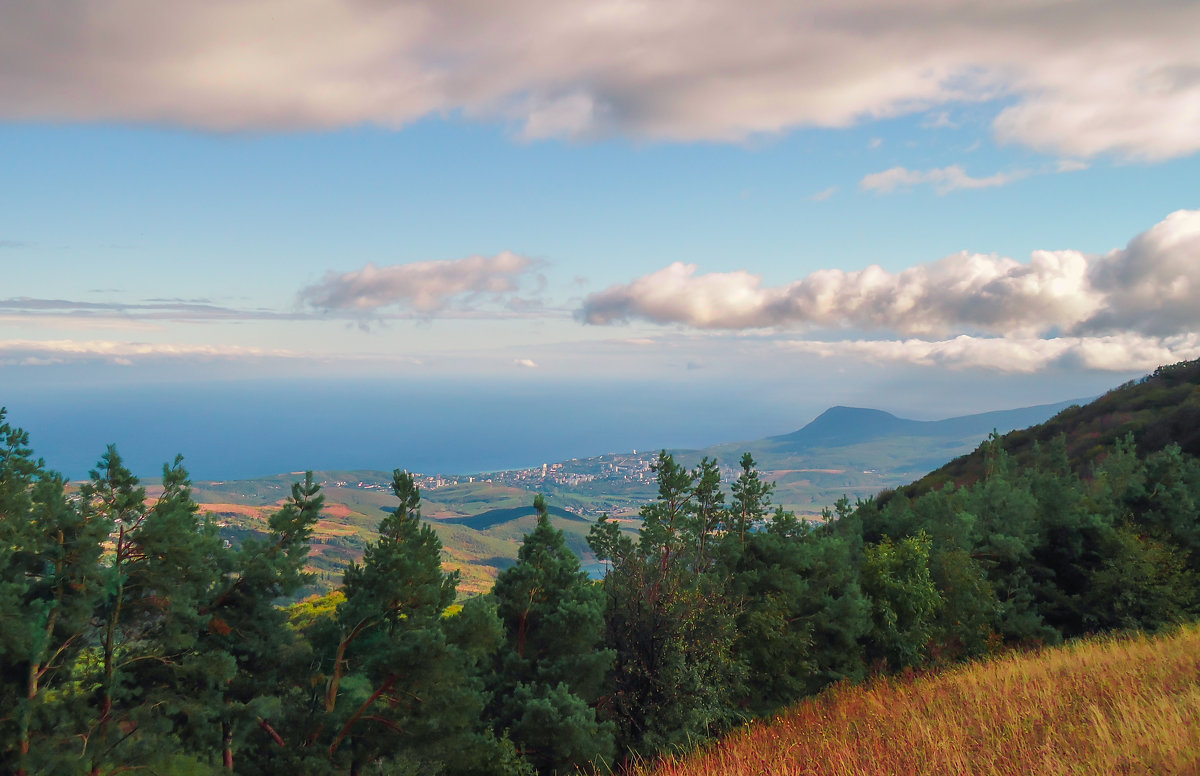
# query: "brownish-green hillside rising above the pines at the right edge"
[[1157, 411]]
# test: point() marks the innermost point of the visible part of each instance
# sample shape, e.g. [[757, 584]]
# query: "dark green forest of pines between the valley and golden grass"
[[134, 639]]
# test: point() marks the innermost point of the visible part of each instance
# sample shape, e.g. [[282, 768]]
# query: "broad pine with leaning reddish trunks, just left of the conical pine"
[[401, 681]]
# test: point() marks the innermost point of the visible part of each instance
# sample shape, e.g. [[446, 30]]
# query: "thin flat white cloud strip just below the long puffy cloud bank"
[[1115, 353]]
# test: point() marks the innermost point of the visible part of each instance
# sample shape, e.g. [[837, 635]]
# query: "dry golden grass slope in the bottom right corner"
[[1114, 706]]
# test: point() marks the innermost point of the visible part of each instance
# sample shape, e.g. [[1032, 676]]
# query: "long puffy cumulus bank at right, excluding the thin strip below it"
[[1153, 286]]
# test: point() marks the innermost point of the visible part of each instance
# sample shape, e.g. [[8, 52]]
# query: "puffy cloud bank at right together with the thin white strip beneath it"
[[1131, 309]]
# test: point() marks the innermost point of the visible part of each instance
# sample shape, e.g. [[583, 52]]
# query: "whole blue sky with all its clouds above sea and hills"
[[934, 208]]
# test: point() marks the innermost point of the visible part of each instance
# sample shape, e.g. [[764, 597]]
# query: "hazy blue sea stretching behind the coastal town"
[[241, 430]]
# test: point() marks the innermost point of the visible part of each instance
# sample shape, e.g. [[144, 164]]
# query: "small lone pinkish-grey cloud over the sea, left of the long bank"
[[425, 287]]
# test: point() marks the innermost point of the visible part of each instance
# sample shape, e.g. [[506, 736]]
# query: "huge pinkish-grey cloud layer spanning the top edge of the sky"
[[1078, 80]]
